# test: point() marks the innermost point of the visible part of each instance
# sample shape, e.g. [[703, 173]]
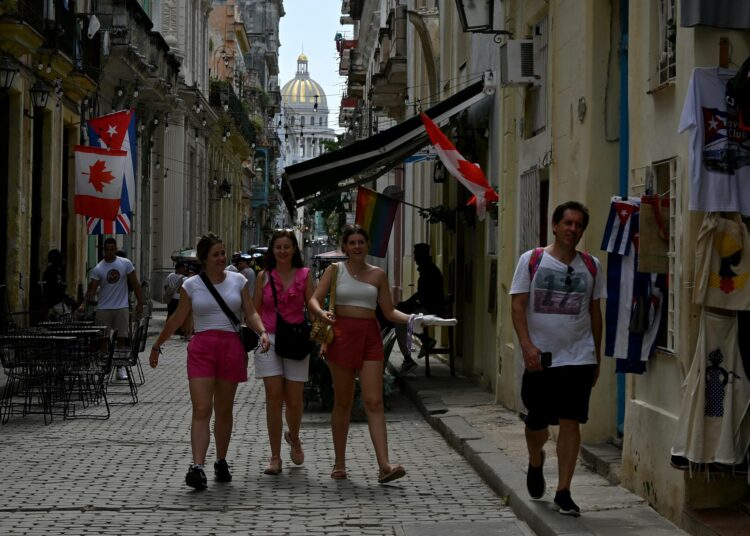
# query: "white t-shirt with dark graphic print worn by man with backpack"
[[558, 310]]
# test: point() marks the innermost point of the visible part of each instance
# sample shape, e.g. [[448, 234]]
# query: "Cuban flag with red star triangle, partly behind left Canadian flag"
[[117, 131]]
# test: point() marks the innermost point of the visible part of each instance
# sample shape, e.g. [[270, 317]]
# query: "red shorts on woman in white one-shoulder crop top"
[[355, 340]]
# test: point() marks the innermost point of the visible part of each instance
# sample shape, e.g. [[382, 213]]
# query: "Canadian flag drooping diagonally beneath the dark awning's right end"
[[467, 173]]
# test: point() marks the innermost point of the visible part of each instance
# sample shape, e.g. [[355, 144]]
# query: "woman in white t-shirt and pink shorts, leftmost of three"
[[216, 358]]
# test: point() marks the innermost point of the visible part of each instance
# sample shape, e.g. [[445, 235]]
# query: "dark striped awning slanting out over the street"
[[369, 158]]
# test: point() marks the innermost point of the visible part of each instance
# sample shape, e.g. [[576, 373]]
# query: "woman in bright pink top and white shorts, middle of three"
[[283, 379]]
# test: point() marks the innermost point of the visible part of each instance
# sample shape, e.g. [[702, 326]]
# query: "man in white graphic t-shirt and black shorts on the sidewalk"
[[556, 314]]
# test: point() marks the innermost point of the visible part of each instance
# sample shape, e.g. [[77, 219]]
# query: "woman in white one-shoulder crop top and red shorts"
[[357, 347]]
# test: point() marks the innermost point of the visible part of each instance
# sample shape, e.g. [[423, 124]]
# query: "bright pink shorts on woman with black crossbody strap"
[[217, 354]]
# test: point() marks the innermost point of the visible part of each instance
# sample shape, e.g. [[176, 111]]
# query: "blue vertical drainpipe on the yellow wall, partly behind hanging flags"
[[624, 167]]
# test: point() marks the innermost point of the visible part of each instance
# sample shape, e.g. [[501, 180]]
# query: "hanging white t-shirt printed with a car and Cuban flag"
[[719, 150]]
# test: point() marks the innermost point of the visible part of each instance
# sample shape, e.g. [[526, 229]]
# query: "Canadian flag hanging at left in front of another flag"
[[99, 178]]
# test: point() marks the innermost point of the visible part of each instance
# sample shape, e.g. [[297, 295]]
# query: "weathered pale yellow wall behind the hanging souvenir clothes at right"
[[654, 398]]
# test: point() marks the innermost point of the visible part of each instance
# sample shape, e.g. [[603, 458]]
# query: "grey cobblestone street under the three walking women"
[[125, 475]]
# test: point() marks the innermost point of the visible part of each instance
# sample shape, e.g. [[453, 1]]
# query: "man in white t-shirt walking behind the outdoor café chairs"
[[111, 277]]
